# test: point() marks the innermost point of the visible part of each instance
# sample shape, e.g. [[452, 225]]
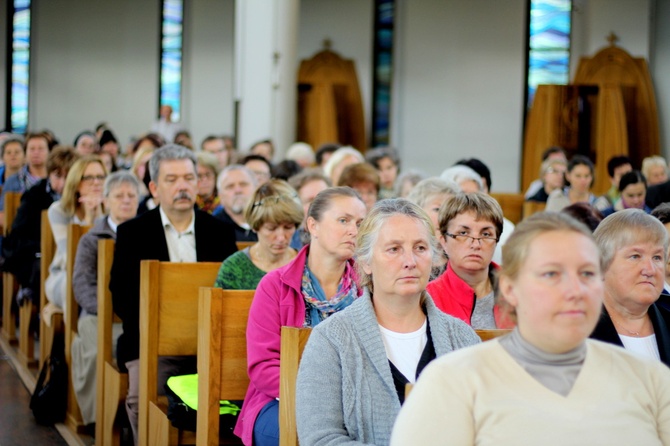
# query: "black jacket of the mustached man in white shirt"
[[143, 238]]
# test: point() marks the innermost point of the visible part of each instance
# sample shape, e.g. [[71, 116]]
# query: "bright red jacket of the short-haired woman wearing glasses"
[[455, 297]]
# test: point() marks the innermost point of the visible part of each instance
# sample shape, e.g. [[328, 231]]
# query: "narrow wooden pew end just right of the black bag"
[[73, 418]]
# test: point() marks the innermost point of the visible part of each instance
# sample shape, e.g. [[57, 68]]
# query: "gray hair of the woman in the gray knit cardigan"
[[368, 233]]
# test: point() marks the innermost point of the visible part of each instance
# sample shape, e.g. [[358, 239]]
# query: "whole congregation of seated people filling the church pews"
[[394, 271]]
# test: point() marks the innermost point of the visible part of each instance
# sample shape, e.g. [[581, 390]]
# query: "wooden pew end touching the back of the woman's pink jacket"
[[222, 357]]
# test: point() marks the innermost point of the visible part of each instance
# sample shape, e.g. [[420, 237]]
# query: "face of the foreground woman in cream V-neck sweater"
[[558, 292]]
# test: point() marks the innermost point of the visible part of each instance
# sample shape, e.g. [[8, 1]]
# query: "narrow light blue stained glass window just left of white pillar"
[[171, 55]]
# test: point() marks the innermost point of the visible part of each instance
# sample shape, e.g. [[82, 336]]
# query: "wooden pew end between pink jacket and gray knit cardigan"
[[293, 341]]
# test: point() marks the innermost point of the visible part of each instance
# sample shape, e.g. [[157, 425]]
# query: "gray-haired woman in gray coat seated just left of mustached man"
[[121, 197]]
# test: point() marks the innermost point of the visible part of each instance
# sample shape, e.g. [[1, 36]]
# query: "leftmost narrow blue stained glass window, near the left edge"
[[20, 66]]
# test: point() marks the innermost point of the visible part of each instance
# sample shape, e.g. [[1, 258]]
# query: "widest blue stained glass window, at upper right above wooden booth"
[[549, 44]]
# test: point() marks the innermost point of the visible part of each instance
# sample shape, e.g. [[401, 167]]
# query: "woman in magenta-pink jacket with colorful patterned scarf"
[[319, 282]]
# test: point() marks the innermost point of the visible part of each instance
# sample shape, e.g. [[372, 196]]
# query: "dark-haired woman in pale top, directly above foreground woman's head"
[[580, 177]]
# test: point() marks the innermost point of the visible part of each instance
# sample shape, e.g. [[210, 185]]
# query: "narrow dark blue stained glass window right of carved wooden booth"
[[383, 76]]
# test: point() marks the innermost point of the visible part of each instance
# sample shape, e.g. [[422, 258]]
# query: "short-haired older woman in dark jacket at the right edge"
[[633, 247]]
